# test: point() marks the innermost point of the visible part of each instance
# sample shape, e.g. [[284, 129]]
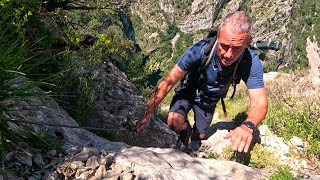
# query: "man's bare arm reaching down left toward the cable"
[[175, 75]]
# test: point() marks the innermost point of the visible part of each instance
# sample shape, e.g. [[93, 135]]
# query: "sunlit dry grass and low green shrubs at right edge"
[[288, 115]]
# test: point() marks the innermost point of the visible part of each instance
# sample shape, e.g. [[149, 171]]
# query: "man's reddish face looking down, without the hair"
[[231, 45]]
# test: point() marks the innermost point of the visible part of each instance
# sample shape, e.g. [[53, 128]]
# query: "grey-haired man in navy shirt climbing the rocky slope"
[[202, 94]]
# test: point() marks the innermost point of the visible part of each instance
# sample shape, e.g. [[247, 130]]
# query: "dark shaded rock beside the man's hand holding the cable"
[[118, 107]]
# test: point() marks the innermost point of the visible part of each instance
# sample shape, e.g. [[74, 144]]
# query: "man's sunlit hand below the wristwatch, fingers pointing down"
[[241, 138]]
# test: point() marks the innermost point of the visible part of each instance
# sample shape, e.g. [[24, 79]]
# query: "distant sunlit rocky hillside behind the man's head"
[[290, 21]]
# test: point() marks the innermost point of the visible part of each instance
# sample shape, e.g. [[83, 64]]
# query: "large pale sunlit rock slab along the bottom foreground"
[[165, 163]]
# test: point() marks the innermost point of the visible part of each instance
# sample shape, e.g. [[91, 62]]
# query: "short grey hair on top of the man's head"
[[238, 21]]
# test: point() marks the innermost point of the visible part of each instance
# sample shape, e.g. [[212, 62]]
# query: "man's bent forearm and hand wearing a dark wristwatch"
[[241, 136]]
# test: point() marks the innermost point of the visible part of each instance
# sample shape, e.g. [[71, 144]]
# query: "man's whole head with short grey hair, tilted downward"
[[233, 37]]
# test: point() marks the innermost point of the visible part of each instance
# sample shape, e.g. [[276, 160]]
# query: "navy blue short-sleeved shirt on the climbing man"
[[203, 87]]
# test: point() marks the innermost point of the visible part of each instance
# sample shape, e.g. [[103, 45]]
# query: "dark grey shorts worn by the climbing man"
[[202, 115]]
